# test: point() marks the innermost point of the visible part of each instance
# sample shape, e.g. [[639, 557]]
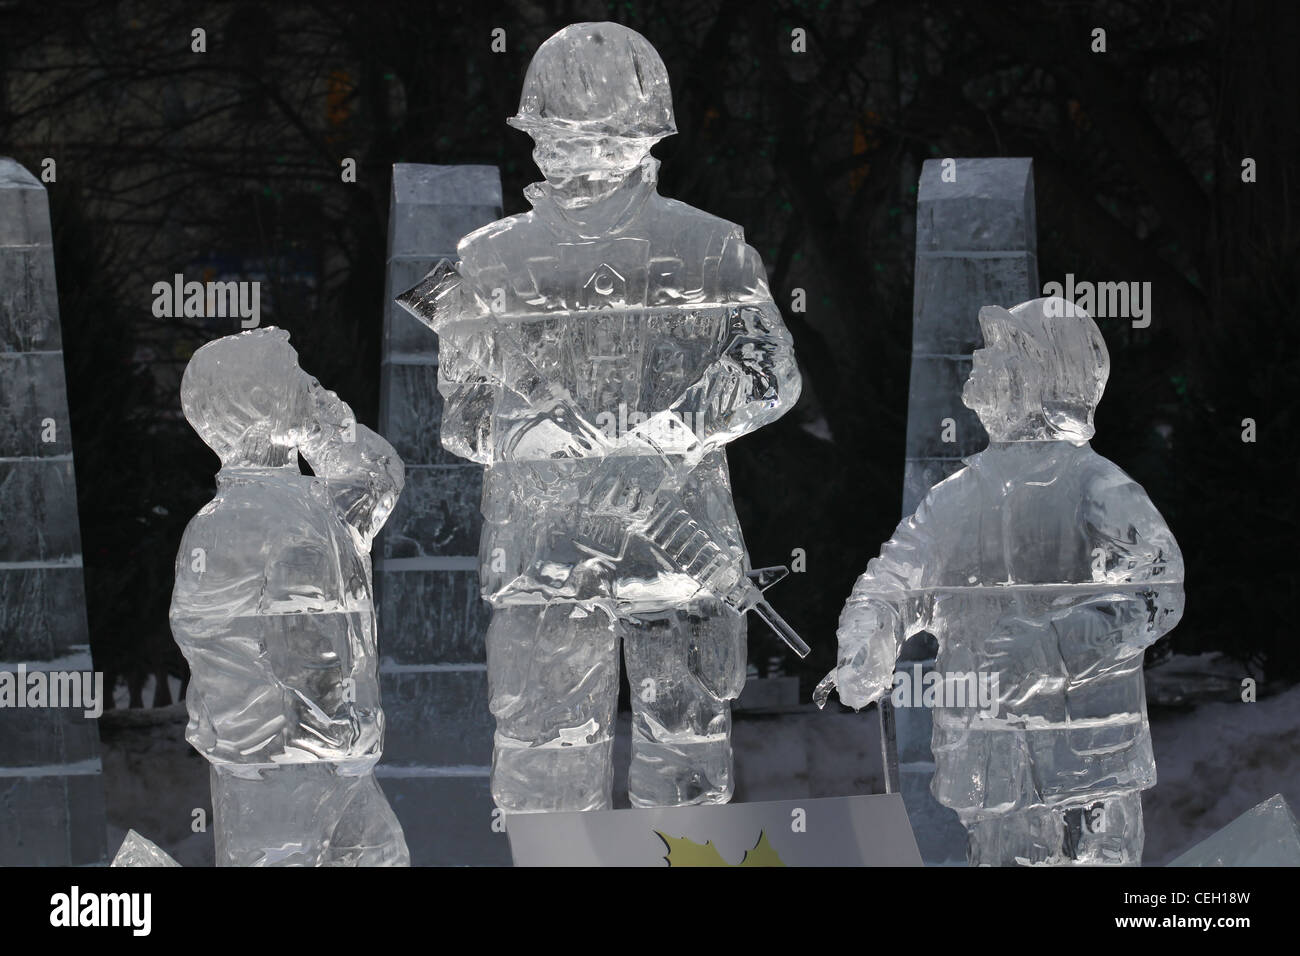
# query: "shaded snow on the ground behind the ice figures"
[[1215, 763]]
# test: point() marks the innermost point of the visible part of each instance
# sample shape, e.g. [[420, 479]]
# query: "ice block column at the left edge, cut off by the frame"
[[51, 790]]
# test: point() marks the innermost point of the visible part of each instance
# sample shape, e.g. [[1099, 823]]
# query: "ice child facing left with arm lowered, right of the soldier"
[[1045, 573]]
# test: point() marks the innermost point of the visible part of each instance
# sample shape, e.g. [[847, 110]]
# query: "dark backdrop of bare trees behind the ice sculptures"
[[228, 162]]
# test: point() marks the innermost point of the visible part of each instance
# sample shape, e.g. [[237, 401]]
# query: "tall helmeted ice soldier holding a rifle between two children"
[[597, 354]]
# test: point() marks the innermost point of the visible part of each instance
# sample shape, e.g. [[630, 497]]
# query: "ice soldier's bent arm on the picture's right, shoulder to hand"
[[756, 379]]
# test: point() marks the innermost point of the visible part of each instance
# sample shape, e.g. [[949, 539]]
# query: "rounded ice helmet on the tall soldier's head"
[[597, 80]]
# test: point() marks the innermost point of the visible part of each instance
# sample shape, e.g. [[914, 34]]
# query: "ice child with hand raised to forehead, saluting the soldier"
[[274, 611]]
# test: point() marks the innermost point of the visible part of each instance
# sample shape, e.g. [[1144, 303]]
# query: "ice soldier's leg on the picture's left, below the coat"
[[553, 677]]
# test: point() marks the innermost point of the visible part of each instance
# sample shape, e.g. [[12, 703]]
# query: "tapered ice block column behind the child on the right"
[[976, 246]]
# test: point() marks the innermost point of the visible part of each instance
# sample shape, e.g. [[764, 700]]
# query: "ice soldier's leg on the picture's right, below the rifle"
[[684, 669]]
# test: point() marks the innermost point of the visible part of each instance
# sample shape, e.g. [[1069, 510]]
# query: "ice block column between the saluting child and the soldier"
[[437, 749]]
